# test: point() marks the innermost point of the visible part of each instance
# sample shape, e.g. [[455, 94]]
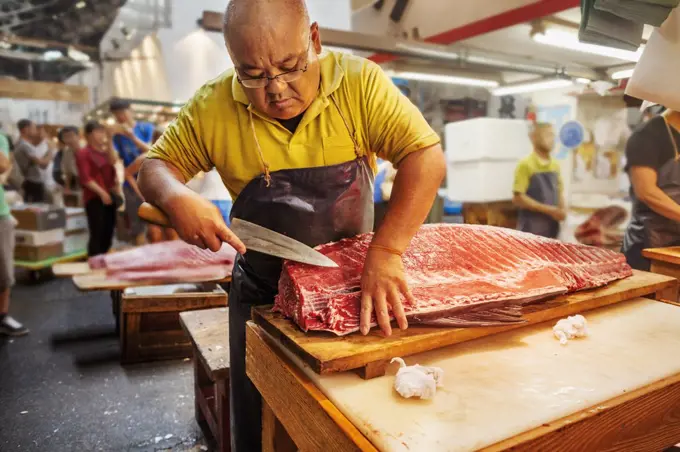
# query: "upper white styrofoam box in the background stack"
[[487, 138]]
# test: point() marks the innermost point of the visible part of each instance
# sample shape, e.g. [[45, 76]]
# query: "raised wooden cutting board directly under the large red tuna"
[[326, 353]]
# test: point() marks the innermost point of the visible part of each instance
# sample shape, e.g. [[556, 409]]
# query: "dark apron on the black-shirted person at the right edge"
[[648, 229]]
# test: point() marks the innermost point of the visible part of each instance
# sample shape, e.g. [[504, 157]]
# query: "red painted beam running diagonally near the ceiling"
[[506, 19]]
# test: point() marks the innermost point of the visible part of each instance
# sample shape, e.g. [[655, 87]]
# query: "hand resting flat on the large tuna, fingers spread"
[[383, 283]]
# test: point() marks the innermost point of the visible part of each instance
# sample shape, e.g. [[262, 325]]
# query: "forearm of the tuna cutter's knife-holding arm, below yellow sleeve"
[[160, 182]]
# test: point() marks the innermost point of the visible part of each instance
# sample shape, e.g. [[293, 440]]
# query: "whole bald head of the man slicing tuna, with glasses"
[[267, 39]]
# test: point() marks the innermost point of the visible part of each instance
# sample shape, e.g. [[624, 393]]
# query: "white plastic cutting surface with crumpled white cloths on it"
[[503, 385]]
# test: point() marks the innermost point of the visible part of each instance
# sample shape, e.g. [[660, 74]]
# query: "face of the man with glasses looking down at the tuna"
[[266, 55]]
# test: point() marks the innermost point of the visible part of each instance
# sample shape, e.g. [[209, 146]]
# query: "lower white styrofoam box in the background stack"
[[480, 181]]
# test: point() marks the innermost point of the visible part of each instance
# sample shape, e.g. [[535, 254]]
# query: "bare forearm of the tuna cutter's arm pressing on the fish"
[[415, 188]]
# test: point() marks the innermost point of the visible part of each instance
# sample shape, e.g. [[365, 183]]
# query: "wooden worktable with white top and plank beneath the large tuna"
[[619, 389]]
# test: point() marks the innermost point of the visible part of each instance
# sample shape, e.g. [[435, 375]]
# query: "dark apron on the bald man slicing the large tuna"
[[311, 205]]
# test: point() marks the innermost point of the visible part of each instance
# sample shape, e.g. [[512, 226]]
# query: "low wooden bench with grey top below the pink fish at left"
[[149, 319]]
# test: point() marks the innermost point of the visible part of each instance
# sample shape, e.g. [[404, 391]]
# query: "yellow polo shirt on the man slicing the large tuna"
[[213, 128]]
